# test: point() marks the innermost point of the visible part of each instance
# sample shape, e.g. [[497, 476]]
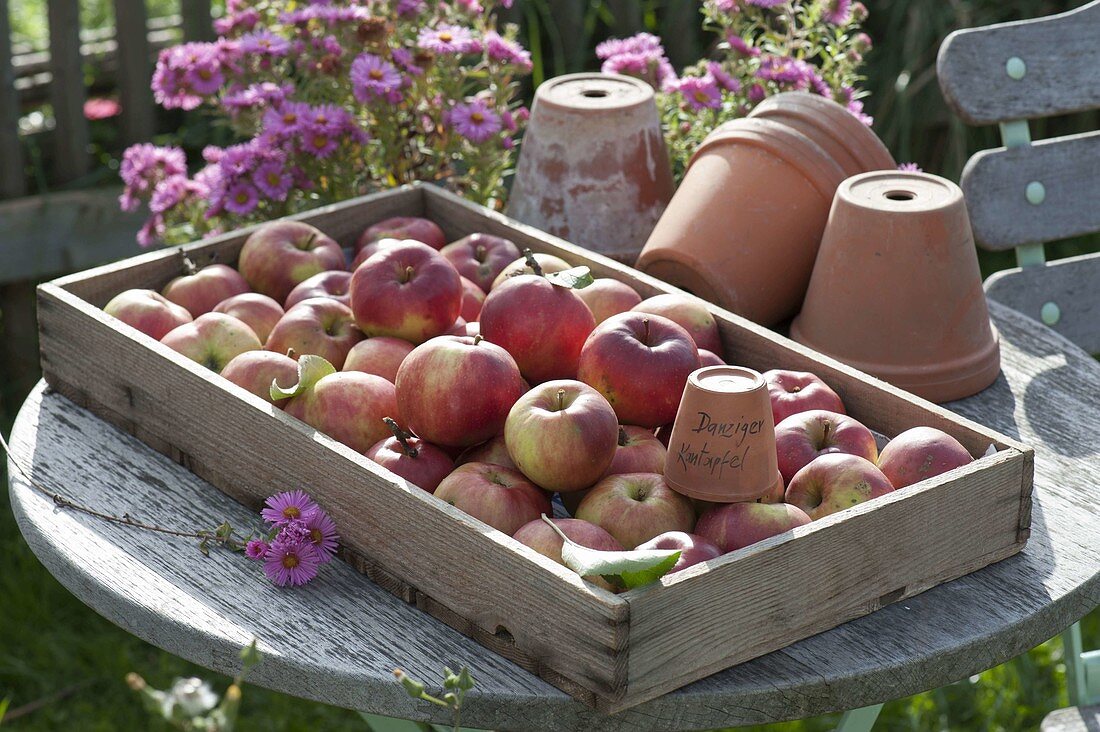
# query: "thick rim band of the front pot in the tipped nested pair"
[[790, 146]]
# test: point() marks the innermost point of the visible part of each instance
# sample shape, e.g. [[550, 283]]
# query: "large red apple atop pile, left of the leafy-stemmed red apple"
[[408, 291]]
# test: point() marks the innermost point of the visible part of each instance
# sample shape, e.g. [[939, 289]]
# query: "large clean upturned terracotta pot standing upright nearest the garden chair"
[[897, 290]]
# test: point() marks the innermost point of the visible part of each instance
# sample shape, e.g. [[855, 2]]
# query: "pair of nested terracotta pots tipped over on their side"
[[743, 230]]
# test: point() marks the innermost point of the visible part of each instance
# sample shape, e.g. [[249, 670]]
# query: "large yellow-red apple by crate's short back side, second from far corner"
[[279, 256]]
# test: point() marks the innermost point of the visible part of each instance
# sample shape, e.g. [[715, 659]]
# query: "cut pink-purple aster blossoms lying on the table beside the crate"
[[302, 539]]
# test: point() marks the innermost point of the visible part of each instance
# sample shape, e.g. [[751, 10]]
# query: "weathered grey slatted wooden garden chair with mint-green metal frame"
[[1029, 193]]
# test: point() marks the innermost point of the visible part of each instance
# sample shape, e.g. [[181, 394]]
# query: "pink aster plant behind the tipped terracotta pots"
[[764, 48]]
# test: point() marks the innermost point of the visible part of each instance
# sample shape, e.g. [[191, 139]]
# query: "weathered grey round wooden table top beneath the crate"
[[338, 639]]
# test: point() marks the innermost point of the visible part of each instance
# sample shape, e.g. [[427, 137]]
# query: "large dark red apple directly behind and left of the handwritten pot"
[[641, 364]]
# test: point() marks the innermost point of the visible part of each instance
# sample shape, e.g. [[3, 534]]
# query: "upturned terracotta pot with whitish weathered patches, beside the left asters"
[[593, 168]]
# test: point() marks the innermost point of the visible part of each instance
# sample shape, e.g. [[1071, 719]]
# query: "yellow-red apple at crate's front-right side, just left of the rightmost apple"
[[834, 483]]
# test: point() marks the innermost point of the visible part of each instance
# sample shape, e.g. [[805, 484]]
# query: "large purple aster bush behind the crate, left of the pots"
[[331, 100]]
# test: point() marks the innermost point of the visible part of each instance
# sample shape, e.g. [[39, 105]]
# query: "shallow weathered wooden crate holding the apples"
[[610, 651]]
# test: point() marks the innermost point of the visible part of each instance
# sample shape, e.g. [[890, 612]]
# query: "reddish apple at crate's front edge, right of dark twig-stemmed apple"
[[502, 498]]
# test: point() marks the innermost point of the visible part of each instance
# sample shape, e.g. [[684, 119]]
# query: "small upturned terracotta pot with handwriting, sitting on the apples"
[[723, 442]]
